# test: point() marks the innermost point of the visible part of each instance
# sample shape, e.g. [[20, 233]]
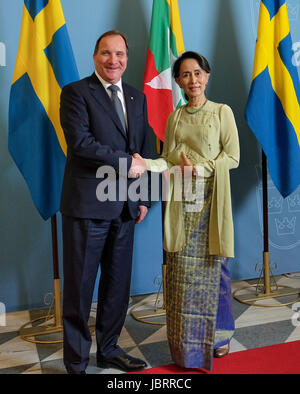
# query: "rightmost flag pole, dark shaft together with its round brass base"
[[252, 297]]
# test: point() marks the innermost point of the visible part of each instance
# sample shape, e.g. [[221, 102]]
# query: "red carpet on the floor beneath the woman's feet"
[[276, 359]]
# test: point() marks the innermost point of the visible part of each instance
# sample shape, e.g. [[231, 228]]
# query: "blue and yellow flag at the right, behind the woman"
[[273, 111]]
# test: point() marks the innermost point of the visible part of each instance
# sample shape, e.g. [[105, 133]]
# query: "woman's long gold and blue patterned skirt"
[[198, 294]]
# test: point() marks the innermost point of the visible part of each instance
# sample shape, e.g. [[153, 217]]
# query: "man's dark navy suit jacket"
[[95, 138]]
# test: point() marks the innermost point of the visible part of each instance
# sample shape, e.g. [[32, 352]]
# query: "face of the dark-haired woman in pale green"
[[192, 79]]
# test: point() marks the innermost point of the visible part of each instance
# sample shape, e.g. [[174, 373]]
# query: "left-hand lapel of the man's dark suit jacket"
[[103, 99]]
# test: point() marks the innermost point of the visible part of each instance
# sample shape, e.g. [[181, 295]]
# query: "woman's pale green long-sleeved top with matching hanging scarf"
[[209, 138]]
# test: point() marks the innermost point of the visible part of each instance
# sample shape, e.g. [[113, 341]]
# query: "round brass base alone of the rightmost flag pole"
[[266, 290]]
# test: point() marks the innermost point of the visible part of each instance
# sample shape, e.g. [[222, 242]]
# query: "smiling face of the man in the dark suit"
[[111, 58]]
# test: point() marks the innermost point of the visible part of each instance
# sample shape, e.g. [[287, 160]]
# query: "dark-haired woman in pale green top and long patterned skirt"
[[203, 137]]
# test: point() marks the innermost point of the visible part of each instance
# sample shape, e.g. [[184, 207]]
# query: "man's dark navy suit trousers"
[[88, 244]]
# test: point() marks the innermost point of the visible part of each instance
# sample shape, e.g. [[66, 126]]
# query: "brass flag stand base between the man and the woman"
[[154, 311]]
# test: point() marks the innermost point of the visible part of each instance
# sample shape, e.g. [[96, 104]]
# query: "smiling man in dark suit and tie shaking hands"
[[105, 122]]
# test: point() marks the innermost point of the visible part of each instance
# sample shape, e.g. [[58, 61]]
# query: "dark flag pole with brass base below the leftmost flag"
[[32, 334]]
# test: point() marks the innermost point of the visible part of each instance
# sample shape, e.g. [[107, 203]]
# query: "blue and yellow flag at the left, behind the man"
[[44, 64]]
